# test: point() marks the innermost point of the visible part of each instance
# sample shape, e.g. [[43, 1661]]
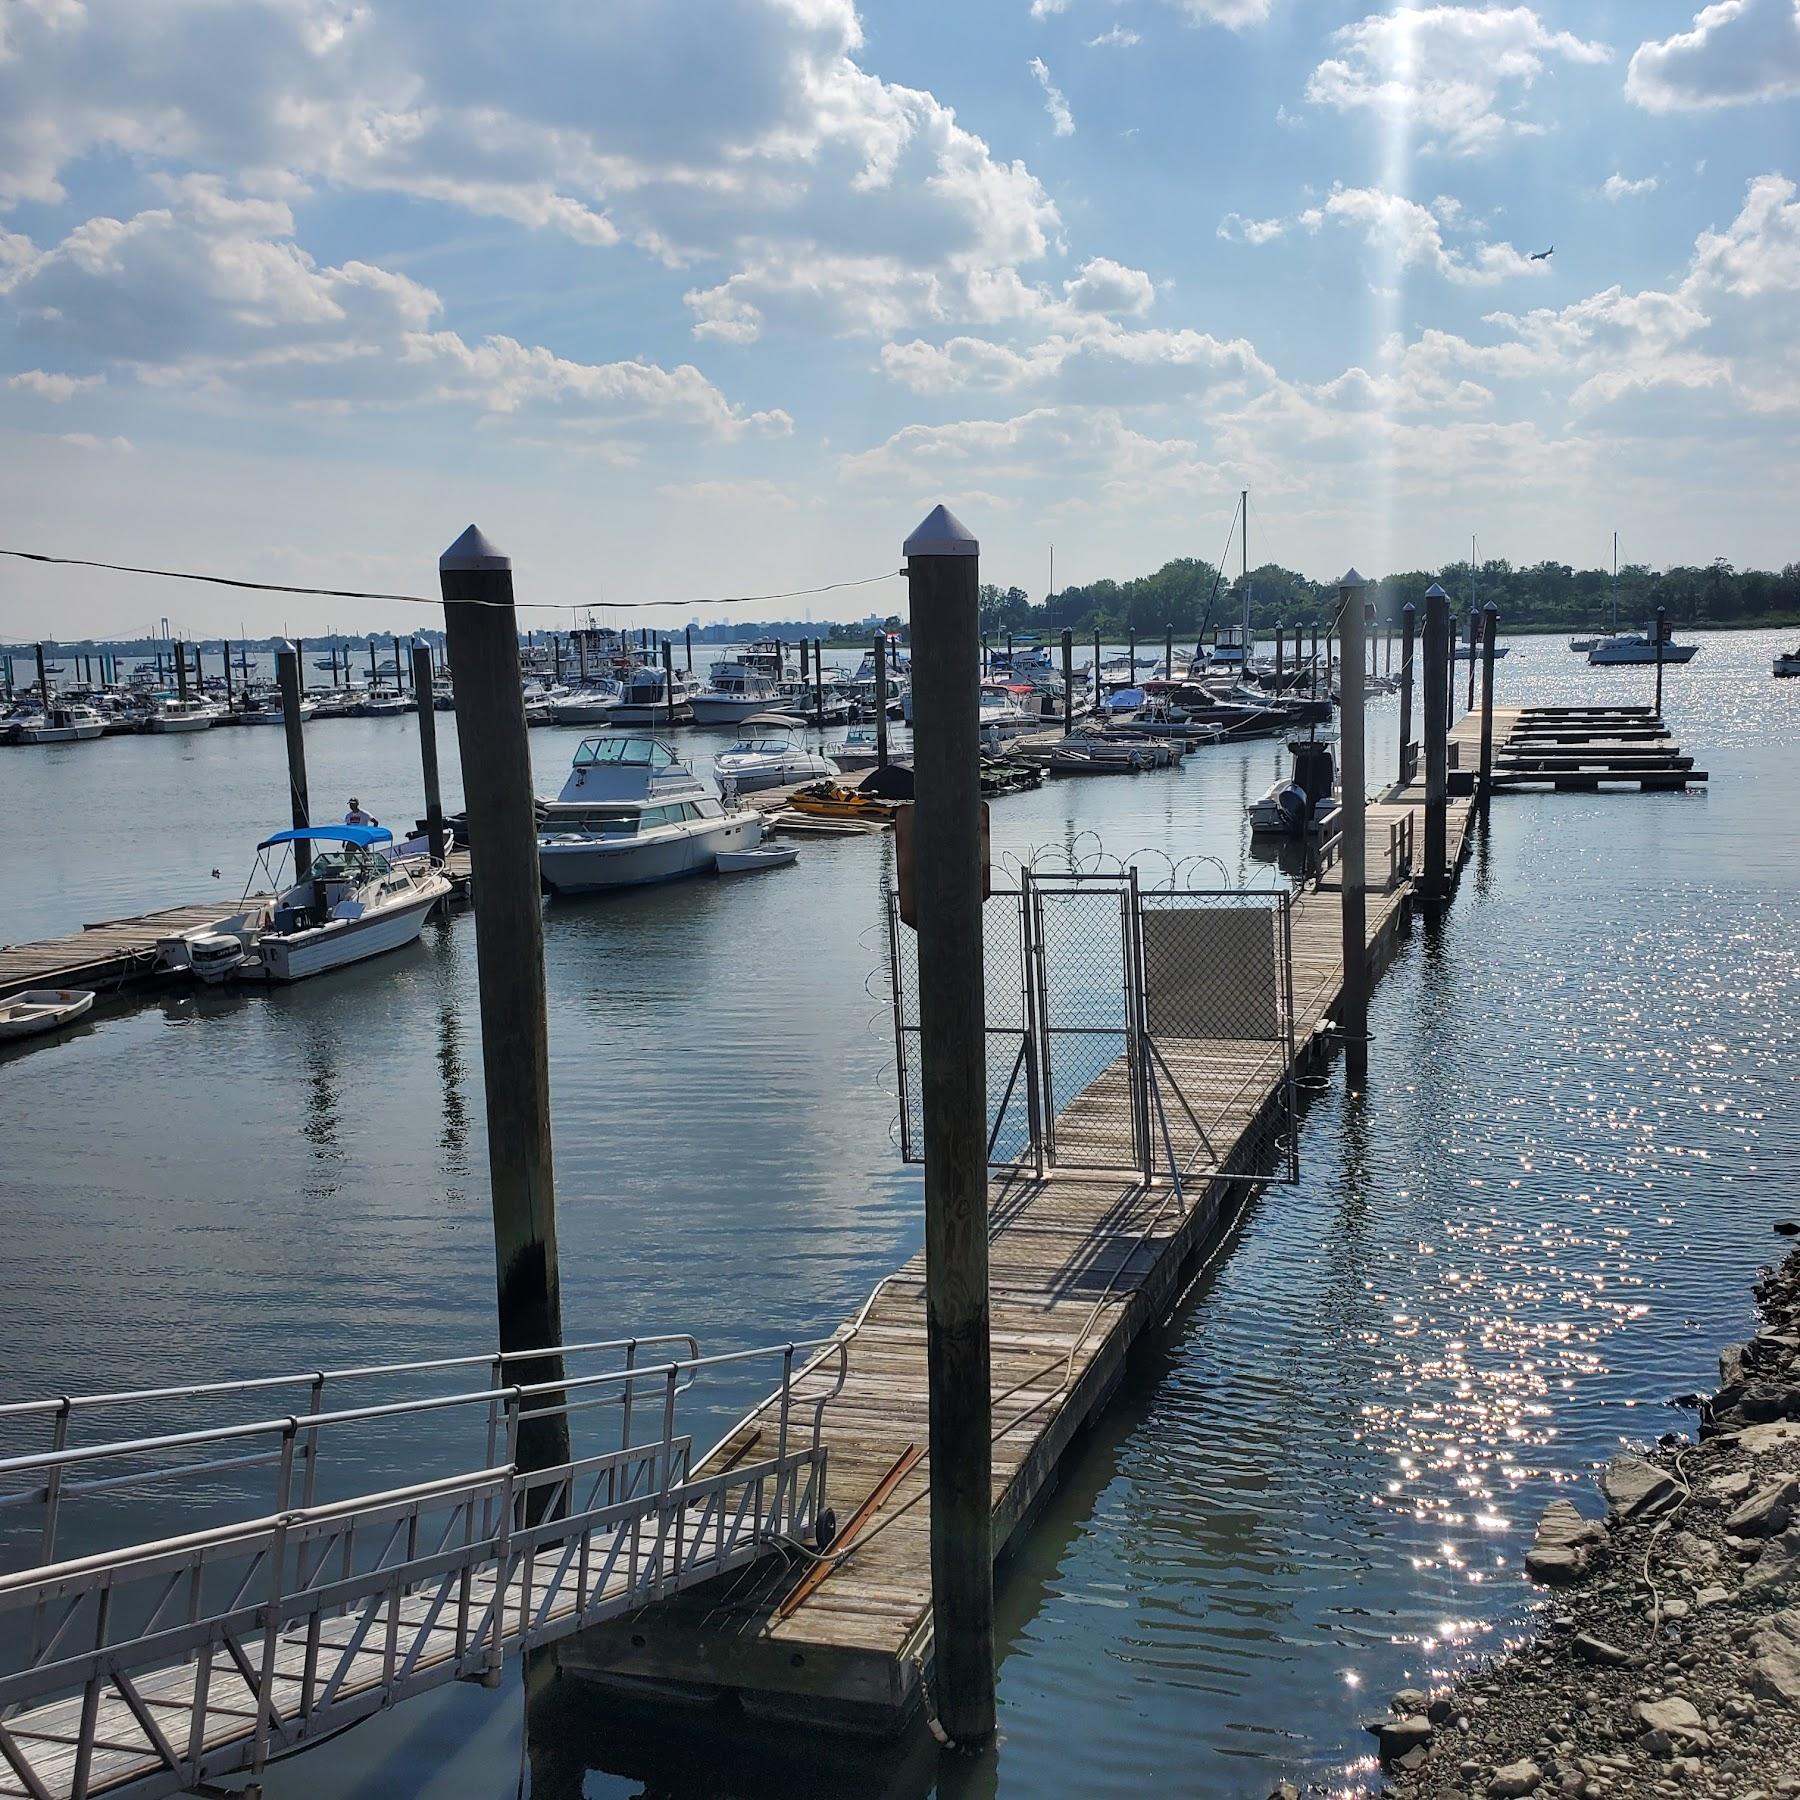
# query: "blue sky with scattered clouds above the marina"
[[683, 300]]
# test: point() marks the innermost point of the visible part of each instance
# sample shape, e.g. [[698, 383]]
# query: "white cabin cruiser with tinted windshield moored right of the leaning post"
[[633, 813]]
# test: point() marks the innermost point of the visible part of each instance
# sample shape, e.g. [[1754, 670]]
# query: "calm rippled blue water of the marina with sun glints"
[[1322, 1477]]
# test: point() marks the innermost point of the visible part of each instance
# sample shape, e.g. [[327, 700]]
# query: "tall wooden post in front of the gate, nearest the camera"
[[944, 575]]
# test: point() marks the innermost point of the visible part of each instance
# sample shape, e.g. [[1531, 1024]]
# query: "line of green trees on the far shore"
[[1194, 598]]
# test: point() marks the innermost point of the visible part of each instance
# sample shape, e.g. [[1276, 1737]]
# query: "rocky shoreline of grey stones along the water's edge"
[[1669, 1657]]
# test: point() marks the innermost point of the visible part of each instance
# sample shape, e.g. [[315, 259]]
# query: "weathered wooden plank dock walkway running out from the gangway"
[[1081, 1264]]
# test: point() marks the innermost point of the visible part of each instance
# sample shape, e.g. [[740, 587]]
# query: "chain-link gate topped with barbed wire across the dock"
[[1128, 1029]]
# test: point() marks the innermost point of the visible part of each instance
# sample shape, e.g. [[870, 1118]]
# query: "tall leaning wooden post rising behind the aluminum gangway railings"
[[483, 636]]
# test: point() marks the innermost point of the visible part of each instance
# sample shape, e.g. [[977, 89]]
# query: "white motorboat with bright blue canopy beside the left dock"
[[350, 904]]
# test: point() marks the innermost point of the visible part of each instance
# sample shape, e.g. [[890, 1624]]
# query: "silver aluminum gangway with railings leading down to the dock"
[[161, 1666]]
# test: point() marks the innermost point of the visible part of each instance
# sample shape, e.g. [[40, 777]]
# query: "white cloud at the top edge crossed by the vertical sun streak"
[[1455, 75]]
